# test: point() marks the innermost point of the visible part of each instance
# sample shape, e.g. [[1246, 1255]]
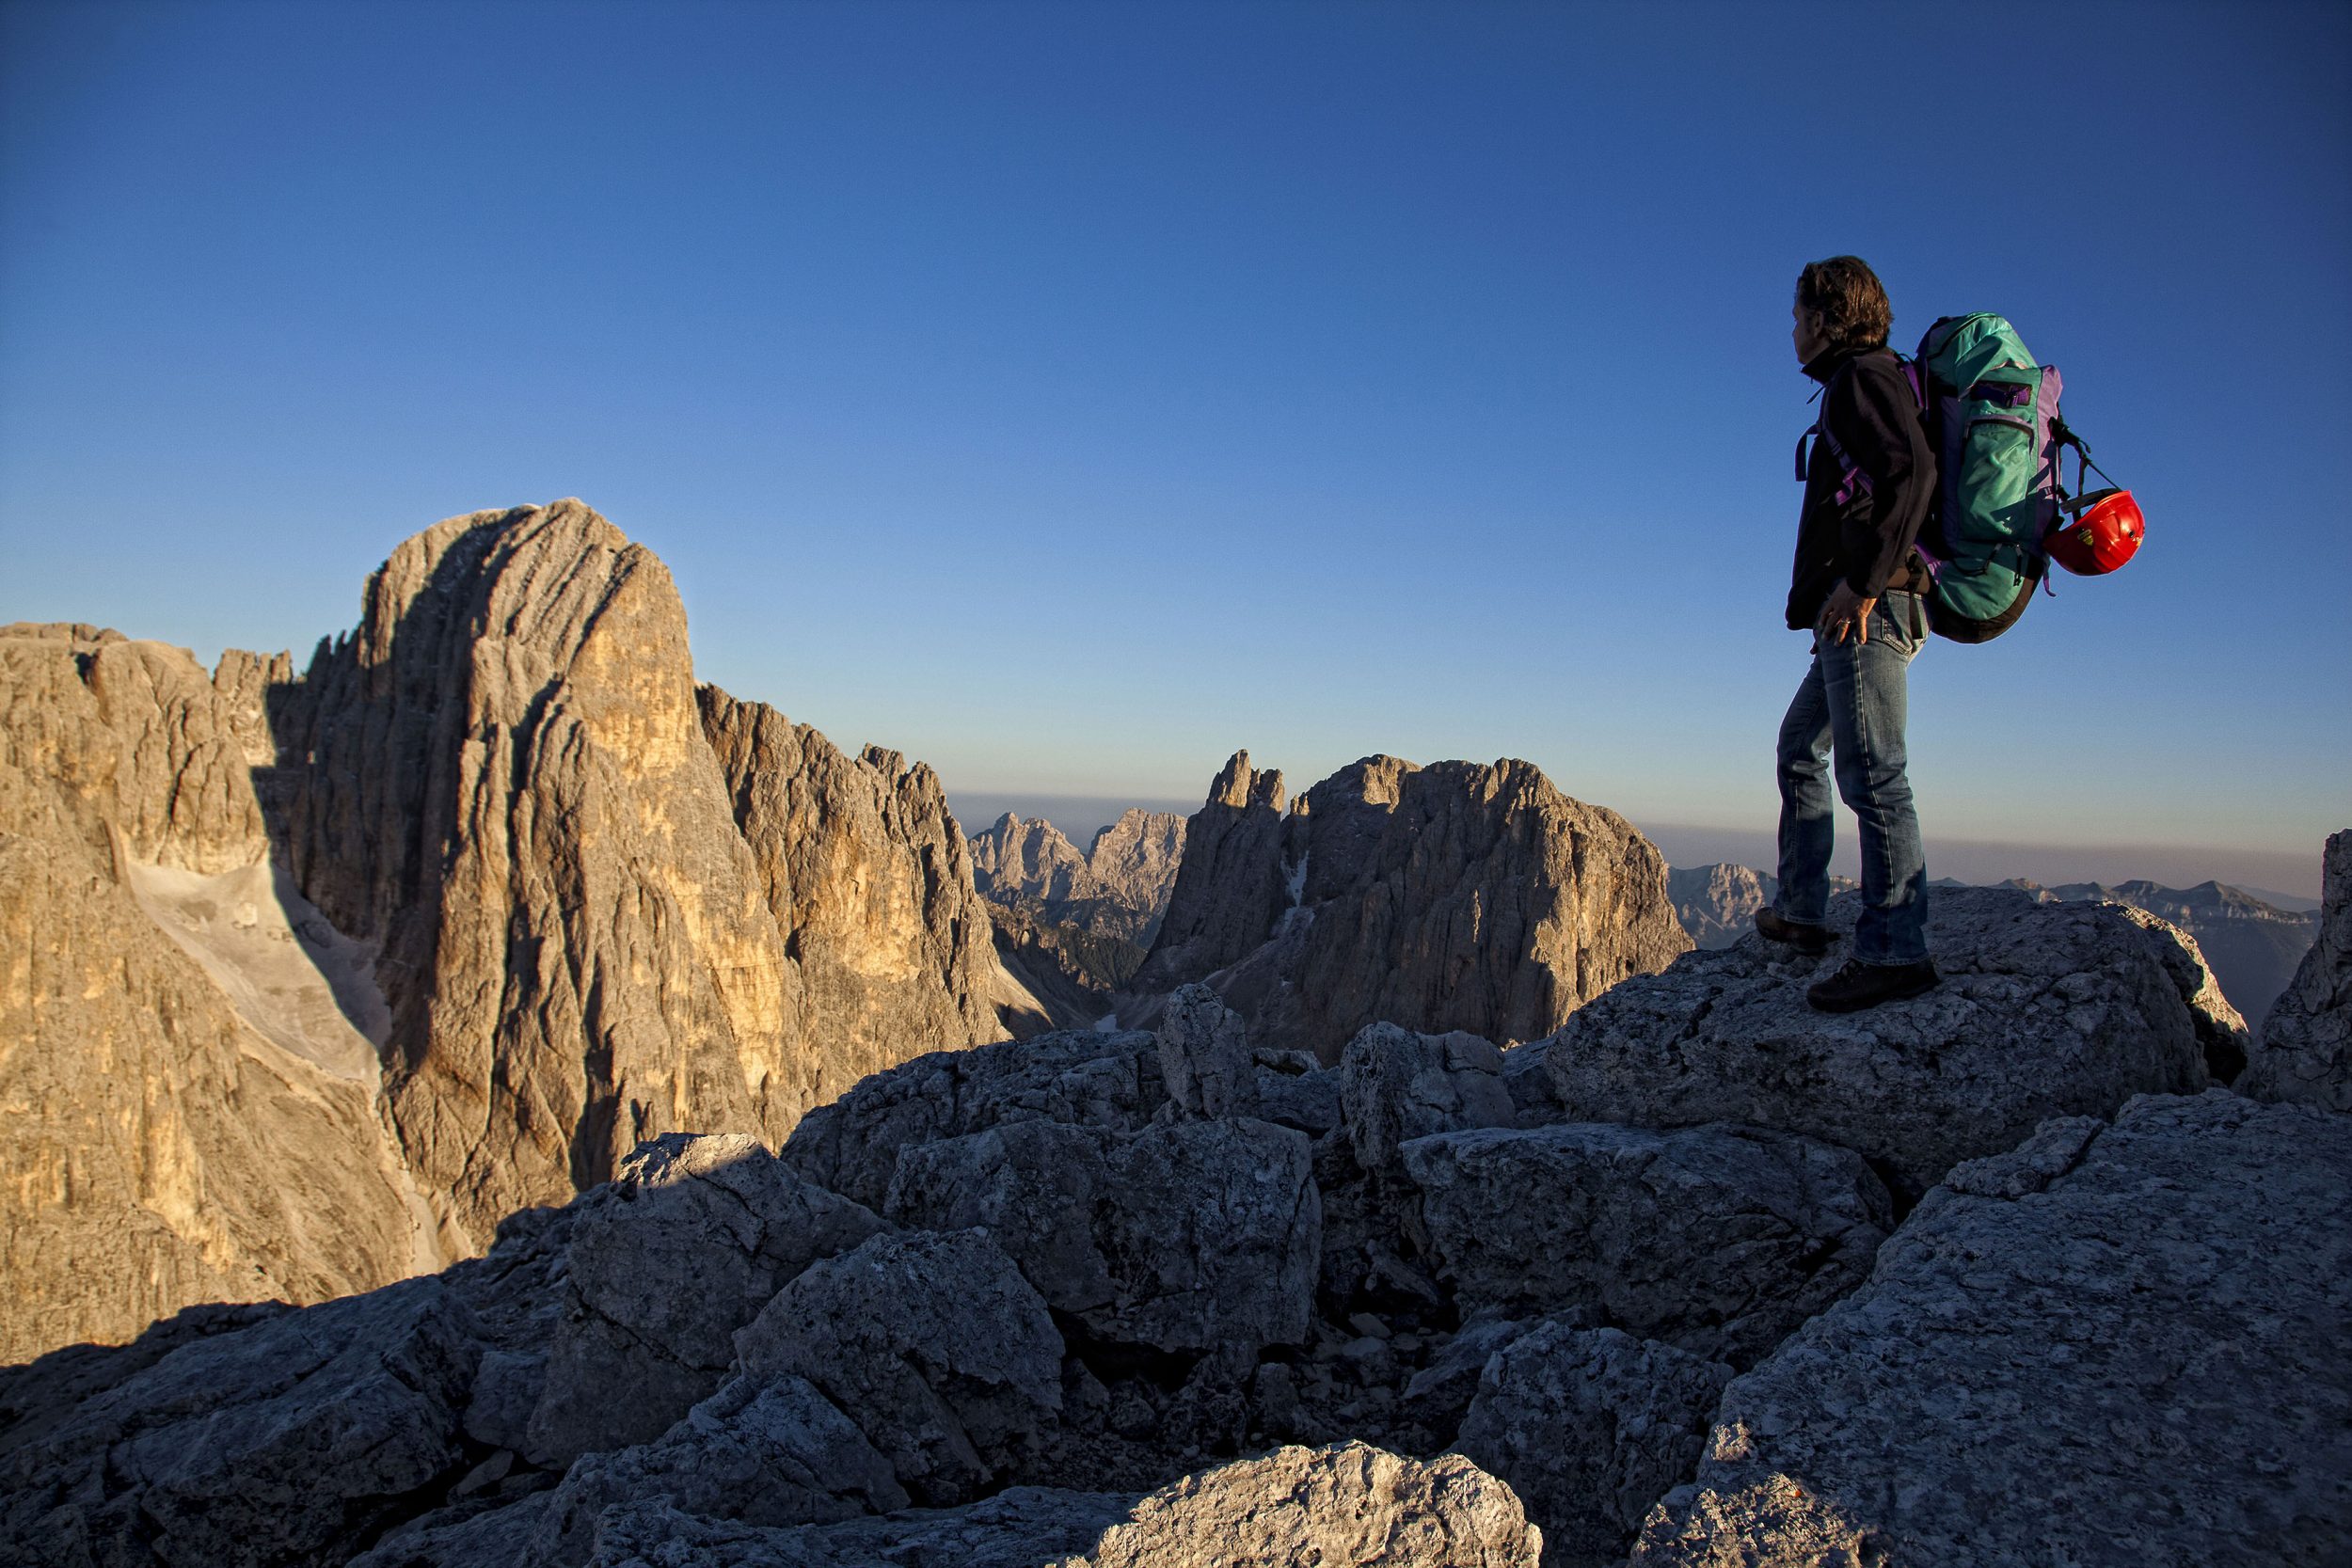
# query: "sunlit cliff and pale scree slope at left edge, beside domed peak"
[[161, 1146]]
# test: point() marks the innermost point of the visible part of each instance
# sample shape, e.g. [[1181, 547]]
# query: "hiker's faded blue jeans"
[[1857, 697]]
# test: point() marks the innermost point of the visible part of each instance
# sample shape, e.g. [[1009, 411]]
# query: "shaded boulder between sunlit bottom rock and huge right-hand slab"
[[1591, 1428]]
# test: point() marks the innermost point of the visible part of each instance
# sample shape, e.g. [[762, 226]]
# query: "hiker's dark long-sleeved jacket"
[[1864, 540]]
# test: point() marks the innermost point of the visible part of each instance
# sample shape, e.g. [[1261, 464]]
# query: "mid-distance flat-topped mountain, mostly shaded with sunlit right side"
[[1448, 897]]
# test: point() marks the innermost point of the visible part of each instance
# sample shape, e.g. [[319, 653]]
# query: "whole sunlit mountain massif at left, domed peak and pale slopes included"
[[537, 892]]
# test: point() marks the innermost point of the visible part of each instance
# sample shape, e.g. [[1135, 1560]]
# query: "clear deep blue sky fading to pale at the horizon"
[[1074, 394]]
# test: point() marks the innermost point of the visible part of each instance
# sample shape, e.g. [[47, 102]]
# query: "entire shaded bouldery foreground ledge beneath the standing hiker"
[[1982, 1278]]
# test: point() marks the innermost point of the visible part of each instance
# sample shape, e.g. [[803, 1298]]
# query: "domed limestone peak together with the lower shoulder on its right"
[[608, 906]]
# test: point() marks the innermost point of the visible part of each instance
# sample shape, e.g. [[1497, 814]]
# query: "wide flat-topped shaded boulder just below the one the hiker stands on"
[[1718, 1240]]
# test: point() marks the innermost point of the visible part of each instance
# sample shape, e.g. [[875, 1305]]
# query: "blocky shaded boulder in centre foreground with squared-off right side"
[[1187, 1238]]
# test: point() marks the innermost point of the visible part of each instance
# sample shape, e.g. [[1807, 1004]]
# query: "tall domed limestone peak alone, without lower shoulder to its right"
[[502, 779]]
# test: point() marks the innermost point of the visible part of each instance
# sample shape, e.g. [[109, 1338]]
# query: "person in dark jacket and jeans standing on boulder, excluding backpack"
[[1869, 483]]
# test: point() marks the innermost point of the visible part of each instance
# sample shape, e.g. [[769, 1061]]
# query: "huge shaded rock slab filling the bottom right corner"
[[2113, 1346]]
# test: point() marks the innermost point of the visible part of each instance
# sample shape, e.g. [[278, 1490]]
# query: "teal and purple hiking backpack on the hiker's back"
[[1993, 417]]
